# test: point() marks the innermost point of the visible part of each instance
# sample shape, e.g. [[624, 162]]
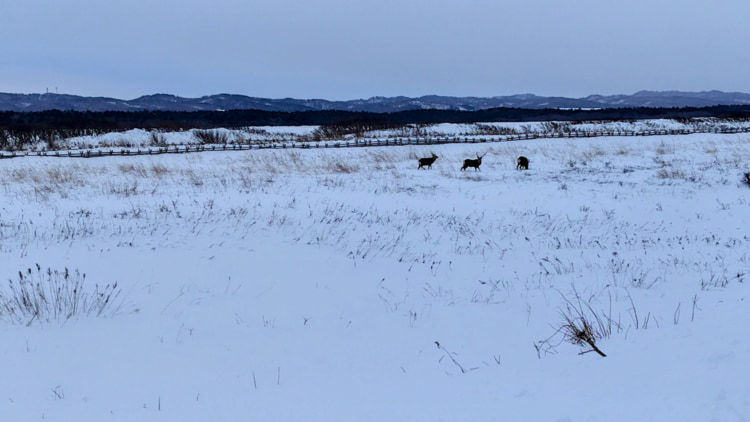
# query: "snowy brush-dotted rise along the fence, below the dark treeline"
[[138, 141]]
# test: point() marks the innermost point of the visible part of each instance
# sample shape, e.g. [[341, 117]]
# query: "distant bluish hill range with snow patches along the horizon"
[[164, 102]]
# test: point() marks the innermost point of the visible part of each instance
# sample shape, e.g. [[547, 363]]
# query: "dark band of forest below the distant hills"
[[18, 128]]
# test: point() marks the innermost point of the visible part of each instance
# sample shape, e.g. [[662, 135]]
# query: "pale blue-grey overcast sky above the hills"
[[349, 49]]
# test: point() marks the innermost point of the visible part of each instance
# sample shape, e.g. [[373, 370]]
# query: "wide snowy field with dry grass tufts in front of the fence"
[[346, 284]]
